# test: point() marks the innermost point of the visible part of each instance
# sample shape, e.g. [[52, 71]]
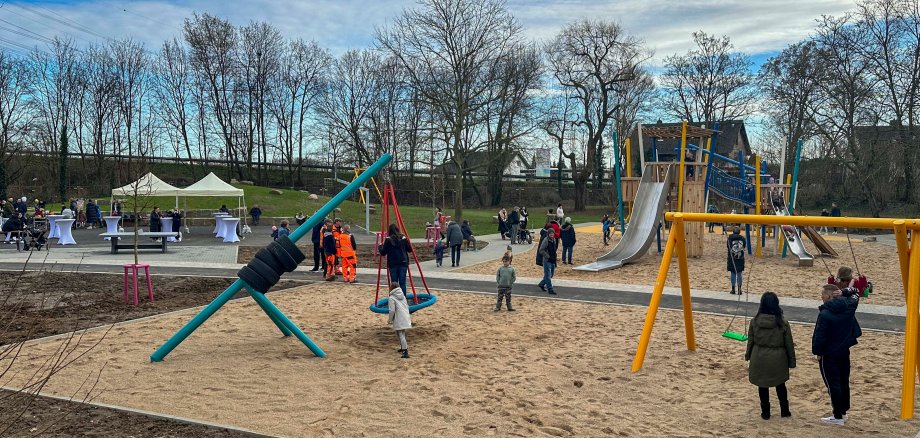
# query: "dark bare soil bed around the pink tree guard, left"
[[38, 304]]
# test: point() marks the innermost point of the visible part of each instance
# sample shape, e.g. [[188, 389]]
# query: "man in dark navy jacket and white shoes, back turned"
[[835, 332]]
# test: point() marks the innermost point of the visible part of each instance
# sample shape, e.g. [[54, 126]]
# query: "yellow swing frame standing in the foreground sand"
[[908, 257]]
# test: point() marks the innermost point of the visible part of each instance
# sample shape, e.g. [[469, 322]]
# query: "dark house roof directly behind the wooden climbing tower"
[[727, 135]]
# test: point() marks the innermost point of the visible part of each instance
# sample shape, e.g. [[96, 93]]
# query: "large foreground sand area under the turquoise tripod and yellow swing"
[[552, 368]]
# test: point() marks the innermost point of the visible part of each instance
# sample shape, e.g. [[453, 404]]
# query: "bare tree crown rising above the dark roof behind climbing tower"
[[710, 83]]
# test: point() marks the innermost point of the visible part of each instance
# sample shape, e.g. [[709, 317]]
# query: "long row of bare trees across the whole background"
[[454, 86]]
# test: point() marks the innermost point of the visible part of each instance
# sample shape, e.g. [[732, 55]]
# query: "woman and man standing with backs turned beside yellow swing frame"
[[771, 351]]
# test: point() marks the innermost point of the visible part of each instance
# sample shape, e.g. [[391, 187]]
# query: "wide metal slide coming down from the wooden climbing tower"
[[648, 208]]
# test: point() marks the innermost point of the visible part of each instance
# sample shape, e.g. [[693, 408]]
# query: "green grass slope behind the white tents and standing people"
[[290, 202]]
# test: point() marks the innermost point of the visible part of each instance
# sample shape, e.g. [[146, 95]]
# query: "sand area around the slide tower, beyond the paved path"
[[770, 273]]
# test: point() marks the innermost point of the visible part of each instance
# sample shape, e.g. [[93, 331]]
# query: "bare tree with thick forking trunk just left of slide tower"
[[593, 59]]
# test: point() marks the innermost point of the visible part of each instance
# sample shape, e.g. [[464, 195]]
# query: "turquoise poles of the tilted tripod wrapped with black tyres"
[[238, 285]]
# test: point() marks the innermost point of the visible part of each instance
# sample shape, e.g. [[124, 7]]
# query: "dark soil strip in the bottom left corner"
[[52, 417]]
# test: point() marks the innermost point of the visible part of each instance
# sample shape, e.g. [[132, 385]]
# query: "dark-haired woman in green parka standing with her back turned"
[[772, 354]]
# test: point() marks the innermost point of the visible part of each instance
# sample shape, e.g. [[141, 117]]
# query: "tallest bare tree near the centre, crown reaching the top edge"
[[448, 48]]
